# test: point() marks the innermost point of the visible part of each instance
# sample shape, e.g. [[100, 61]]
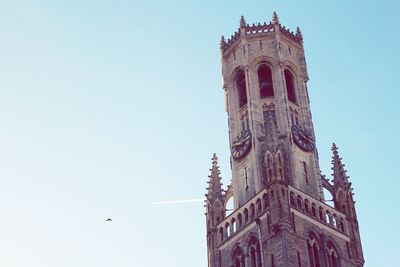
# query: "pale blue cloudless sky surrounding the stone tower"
[[107, 106]]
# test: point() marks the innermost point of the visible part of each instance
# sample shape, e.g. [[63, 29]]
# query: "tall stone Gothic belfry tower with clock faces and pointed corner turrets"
[[280, 218]]
